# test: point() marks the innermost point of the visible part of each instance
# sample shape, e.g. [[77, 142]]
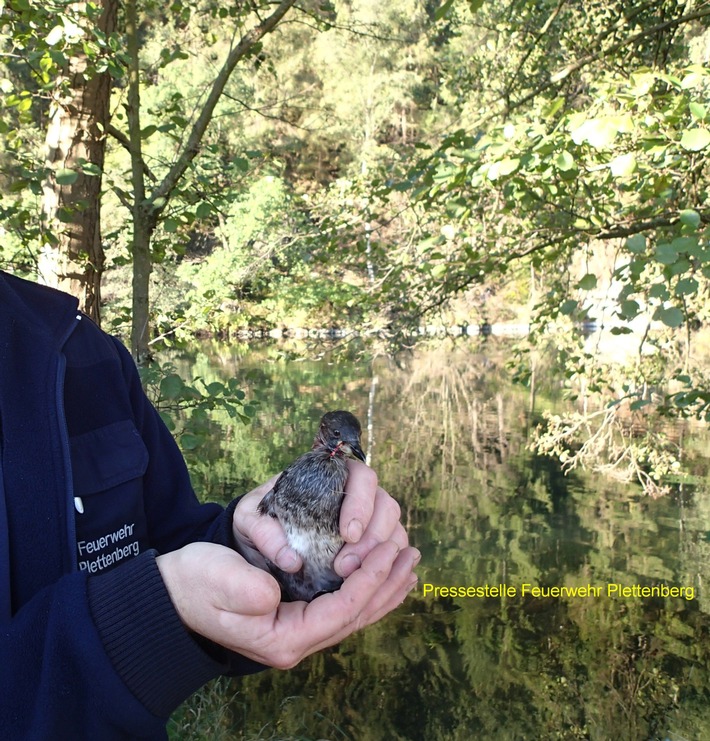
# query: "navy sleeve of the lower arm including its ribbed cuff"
[[103, 657]]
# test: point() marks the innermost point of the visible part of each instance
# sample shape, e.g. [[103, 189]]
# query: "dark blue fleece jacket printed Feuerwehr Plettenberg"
[[92, 485]]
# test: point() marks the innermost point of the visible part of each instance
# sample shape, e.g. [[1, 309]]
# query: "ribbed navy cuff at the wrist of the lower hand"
[[149, 647]]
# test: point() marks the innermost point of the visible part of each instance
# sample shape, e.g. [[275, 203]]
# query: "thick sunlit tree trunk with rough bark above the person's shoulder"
[[72, 256]]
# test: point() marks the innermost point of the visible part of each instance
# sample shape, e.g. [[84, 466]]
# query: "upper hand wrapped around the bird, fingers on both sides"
[[368, 516]]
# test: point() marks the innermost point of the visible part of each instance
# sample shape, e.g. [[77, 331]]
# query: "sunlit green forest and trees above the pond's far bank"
[[192, 168]]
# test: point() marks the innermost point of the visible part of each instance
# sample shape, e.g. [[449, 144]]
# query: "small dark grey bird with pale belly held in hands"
[[306, 500]]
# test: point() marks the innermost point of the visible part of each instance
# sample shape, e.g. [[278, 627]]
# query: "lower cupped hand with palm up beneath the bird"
[[222, 597]]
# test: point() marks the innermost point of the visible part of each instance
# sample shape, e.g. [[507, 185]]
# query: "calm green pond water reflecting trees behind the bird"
[[446, 431]]
